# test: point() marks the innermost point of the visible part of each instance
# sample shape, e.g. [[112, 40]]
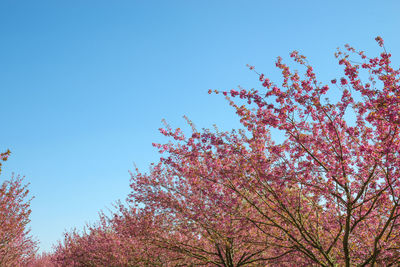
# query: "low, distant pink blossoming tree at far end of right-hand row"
[[124, 239]]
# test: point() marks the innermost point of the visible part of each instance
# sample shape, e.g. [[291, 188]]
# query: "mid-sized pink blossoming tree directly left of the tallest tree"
[[203, 211]]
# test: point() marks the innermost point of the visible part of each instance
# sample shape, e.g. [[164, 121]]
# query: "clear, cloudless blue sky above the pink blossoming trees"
[[85, 84]]
